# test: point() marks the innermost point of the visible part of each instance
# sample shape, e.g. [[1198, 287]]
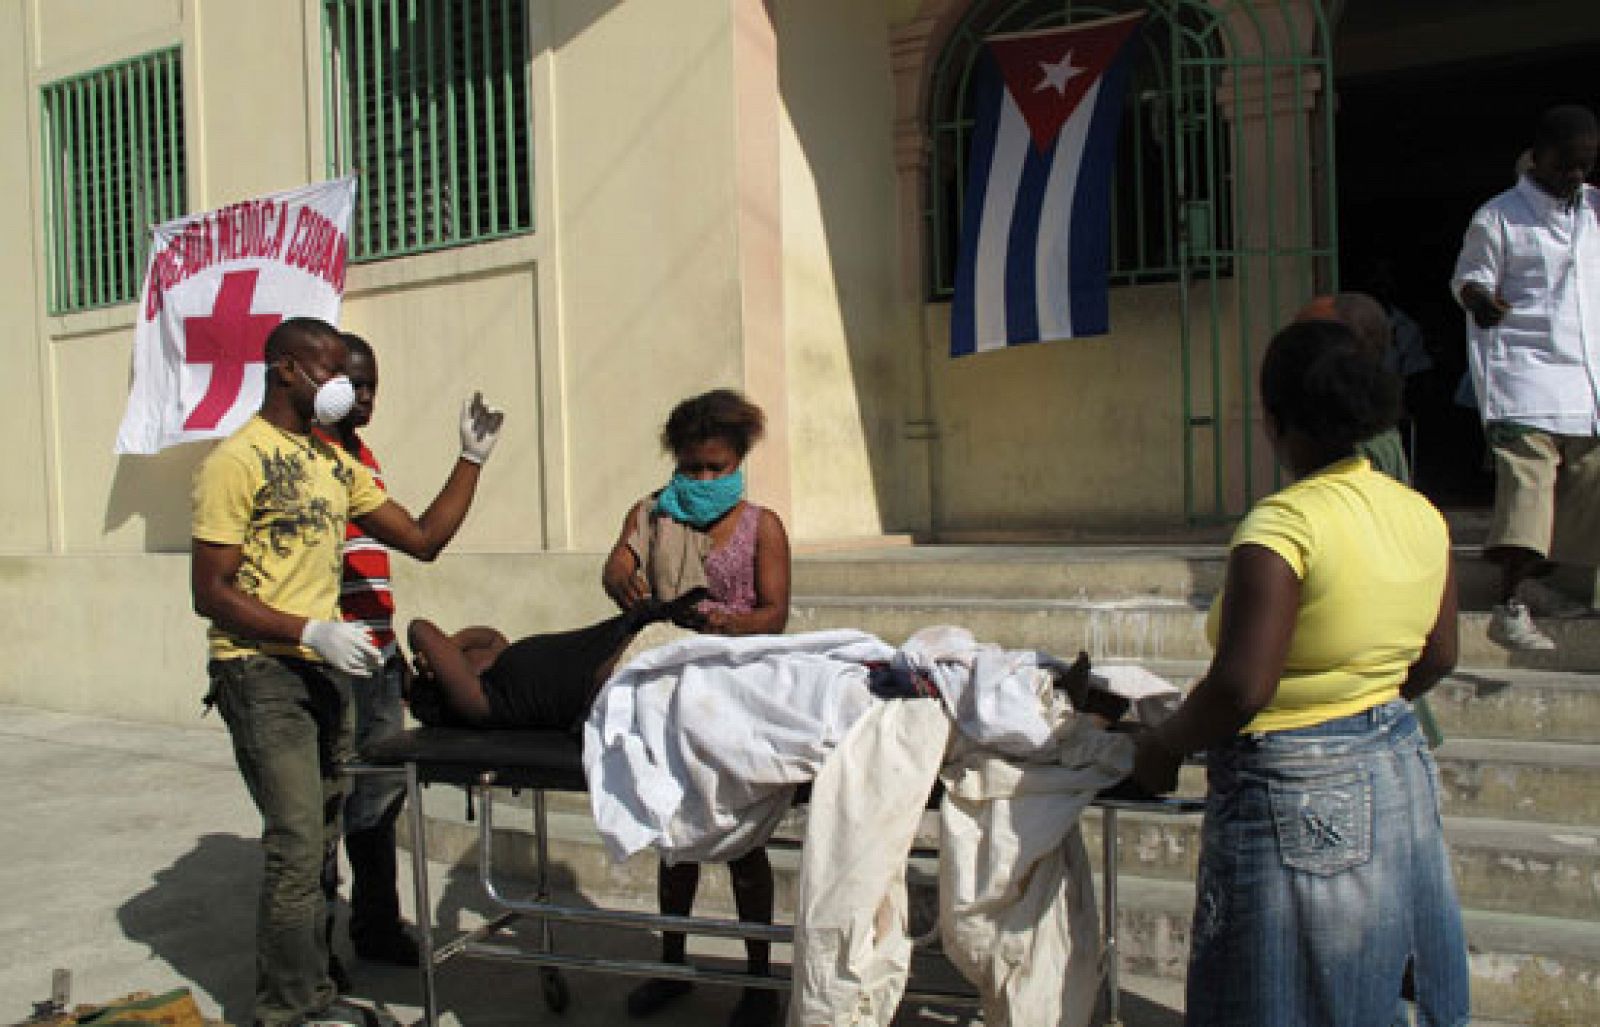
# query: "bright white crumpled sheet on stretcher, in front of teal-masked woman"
[[695, 748]]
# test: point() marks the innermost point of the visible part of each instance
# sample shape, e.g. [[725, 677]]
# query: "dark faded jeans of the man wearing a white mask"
[[292, 725]]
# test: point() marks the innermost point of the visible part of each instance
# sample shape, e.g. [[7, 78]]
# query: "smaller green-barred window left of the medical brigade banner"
[[114, 166]]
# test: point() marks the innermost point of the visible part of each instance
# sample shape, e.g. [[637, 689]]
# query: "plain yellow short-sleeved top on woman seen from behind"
[[1372, 557]]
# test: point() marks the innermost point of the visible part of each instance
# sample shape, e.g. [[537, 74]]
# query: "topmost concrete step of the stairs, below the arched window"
[[1090, 572]]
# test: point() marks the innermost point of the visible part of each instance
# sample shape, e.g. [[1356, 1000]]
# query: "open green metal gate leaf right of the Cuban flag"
[[1254, 130]]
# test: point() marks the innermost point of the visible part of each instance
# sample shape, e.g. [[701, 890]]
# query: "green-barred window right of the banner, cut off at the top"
[[428, 102]]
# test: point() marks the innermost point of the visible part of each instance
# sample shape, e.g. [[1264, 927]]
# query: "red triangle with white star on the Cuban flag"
[[1049, 73]]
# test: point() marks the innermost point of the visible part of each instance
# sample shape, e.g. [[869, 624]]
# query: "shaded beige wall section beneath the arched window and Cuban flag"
[[1060, 438]]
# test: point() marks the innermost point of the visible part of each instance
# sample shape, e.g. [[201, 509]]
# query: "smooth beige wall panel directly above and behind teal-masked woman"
[[647, 238]]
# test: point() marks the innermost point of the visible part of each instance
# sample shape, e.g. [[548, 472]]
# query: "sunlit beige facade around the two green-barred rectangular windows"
[[623, 302]]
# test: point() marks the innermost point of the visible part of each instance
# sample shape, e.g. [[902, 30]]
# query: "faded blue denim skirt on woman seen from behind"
[[1322, 874]]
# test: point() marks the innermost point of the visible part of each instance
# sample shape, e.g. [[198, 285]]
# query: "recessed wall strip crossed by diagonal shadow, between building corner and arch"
[[850, 322]]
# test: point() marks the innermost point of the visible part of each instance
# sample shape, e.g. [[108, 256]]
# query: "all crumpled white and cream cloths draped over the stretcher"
[[695, 748]]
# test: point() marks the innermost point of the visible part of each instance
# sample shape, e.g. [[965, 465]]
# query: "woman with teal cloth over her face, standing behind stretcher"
[[702, 532]]
